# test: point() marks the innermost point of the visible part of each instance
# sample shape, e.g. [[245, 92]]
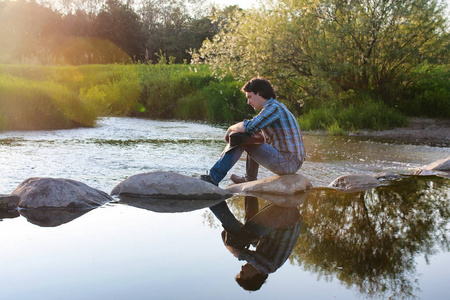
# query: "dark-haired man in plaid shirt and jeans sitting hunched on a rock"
[[282, 152]]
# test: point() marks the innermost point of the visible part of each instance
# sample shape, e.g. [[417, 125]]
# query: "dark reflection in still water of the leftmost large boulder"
[[52, 217]]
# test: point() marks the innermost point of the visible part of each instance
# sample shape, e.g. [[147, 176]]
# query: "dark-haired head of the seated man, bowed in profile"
[[258, 91]]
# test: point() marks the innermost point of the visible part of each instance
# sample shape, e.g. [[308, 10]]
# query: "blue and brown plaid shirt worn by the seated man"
[[280, 128]]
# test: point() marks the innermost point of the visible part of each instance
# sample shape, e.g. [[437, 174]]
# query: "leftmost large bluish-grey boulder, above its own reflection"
[[59, 193]]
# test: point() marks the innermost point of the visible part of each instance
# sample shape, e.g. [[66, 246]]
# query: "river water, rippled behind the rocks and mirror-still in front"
[[389, 241]]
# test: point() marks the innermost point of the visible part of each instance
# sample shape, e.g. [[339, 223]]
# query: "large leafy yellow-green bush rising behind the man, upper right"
[[315, 49]]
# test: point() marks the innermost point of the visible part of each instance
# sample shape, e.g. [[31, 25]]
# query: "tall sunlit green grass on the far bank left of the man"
[[43, 97]]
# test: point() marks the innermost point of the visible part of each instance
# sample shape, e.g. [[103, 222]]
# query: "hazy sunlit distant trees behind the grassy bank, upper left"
[[101, 32]]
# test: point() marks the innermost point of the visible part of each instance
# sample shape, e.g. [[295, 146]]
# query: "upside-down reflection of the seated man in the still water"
[[273, 231]]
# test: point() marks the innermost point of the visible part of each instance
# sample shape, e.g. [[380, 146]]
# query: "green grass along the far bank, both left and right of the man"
[[52, 97]]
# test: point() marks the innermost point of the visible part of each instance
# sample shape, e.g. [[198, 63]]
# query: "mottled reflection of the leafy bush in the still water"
[[369, 240]]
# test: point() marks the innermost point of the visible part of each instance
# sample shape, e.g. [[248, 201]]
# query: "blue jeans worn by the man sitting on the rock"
[[263, 154]]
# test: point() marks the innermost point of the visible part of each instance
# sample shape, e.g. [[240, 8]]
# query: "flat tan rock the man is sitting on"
[[289, 184]]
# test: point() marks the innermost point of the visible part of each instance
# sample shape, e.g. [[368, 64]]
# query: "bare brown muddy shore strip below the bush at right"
[[420, 131]]
